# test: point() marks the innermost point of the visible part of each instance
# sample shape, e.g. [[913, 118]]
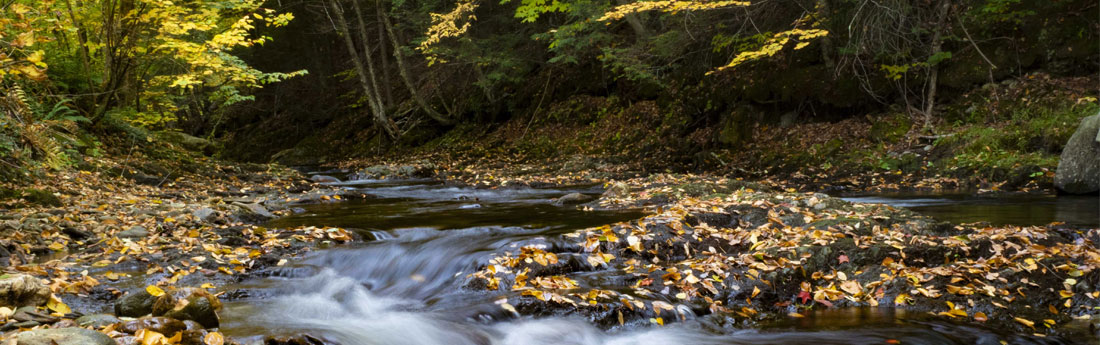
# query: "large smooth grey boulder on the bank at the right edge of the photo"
[[1080, 169]]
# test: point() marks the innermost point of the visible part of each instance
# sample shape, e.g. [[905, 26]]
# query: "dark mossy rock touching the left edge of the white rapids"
[[195, 305]]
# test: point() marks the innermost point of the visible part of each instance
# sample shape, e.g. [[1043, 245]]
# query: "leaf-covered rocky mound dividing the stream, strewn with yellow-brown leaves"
[[751, 257]]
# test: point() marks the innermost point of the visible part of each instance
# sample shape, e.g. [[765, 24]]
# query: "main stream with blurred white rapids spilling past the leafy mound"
[[404, 284]]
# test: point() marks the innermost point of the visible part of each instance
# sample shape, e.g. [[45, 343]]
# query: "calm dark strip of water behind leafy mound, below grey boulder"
[[997, 210]]
